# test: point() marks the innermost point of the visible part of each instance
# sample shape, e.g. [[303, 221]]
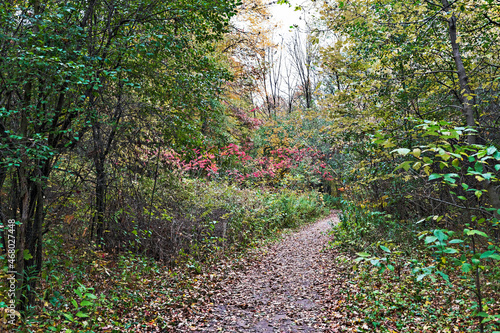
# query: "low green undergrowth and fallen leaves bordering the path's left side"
[[85, 288]]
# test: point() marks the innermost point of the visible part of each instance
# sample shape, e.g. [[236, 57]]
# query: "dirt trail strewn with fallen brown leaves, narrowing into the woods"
[[287, 290]]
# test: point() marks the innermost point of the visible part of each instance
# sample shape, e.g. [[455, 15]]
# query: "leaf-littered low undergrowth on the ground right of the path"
[[398, 284]]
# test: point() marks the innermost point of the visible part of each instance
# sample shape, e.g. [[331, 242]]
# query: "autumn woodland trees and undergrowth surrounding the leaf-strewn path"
[[142, 141]]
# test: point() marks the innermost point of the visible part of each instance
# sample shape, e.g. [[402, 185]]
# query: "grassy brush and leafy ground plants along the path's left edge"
[[85, 289]]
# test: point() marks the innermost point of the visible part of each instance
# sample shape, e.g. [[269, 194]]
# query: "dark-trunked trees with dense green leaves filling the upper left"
[[74, 68]]
